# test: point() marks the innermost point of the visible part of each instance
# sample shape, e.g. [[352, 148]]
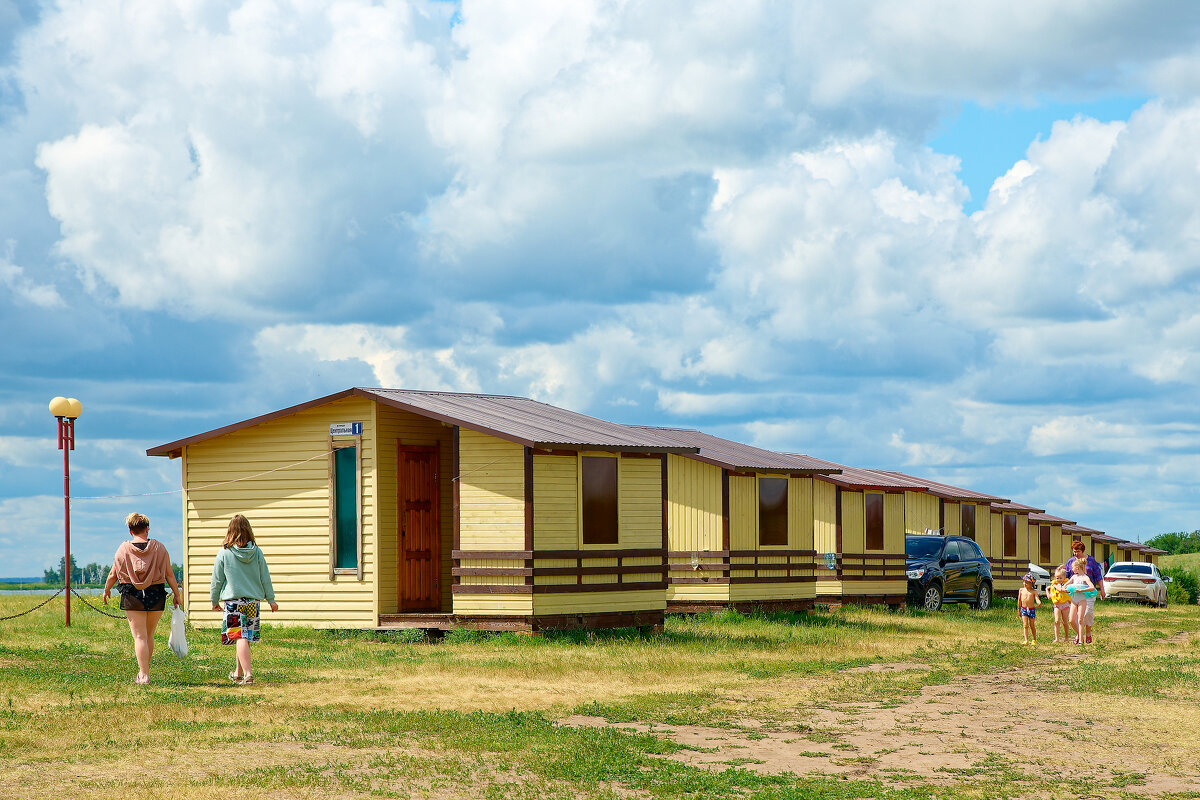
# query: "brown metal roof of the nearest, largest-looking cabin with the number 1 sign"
[[515, 419]]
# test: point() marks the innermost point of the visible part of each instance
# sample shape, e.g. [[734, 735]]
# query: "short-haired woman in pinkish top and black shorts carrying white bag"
[[140, 569]]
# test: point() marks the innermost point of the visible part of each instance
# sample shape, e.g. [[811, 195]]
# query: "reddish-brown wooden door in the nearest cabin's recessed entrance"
[[421, 533]]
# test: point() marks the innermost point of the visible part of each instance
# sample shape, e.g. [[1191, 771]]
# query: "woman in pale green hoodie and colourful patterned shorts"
[[241, 581]]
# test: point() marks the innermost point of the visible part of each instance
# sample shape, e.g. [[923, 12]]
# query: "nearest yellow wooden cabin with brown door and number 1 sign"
[[387, 509]]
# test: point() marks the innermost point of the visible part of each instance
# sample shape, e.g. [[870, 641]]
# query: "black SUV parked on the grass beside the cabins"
[[946, 569]]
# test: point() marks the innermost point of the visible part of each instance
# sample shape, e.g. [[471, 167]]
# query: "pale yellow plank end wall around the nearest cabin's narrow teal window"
[[289, 510]]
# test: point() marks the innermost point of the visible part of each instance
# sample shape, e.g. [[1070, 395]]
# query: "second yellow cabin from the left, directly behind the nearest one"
[[740, 526]]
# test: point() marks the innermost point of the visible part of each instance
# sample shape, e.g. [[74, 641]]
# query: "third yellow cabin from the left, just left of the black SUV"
[[860, 525]]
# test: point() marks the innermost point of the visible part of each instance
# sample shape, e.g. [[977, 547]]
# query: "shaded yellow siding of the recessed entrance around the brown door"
[[399, 428]]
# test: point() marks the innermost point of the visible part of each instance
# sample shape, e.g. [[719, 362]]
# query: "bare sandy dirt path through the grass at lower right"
[[973, 727]]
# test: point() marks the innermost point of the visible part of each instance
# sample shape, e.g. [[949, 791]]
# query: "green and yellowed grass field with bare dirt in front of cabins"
[[856, 703]]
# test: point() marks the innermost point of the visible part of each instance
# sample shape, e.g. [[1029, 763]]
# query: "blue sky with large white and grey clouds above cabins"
[[961, 240]]
